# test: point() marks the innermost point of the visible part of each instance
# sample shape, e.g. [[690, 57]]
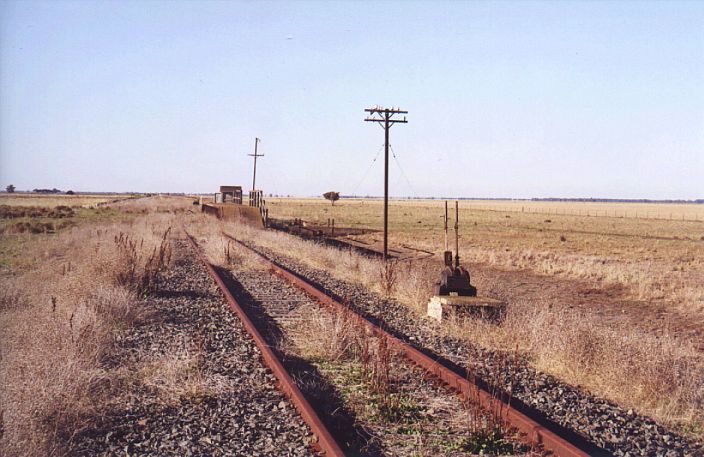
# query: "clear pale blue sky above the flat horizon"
[[506, 99]]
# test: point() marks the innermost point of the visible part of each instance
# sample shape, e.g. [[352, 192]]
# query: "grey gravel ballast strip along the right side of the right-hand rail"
[[613, 429]]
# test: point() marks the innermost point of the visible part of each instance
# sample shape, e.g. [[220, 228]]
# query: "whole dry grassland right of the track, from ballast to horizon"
[[593, 300]]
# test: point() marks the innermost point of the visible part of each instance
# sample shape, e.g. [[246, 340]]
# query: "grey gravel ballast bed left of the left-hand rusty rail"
[[238, 411]]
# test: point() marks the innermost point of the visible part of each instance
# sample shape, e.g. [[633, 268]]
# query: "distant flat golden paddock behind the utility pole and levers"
[[655, 260]]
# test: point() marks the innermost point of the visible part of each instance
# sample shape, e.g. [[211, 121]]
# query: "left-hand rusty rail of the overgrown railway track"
[[326, 442]]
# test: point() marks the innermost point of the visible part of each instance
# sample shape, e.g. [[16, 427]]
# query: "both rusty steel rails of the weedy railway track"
[[534, 433]]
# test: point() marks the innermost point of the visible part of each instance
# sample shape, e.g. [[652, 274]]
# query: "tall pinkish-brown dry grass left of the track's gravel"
[[57, 322]]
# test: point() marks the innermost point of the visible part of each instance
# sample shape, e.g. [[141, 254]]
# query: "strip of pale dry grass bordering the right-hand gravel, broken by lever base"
[[665, 373]]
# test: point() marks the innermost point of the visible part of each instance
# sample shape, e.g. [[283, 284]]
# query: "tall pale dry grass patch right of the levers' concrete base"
[[665, 375]]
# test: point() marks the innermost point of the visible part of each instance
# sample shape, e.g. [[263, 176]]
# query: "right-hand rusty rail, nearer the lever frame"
[[533, 431]]
